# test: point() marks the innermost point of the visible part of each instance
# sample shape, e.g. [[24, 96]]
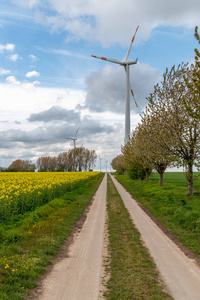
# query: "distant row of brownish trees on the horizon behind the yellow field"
[[78, 159]]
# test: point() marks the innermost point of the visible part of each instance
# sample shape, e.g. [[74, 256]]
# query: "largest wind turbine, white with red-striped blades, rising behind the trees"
[[126, 63]]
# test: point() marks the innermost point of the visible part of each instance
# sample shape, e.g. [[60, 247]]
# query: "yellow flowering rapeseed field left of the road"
[[23, 191]]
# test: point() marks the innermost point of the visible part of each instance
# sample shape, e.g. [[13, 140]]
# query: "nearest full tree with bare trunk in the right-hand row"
[[178, 132]]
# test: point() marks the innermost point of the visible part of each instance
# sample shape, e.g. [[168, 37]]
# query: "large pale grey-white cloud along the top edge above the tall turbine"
[[114, 22]]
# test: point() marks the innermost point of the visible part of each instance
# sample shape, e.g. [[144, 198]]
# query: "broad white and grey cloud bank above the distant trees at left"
[[29, 139]]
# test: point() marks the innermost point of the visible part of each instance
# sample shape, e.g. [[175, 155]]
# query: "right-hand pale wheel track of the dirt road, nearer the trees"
[[181, 274]]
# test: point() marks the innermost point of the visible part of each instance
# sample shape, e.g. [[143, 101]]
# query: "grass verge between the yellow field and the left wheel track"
[[27, 249]]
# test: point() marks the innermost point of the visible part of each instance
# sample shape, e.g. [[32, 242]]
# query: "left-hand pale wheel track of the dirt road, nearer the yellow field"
[[78, 276]]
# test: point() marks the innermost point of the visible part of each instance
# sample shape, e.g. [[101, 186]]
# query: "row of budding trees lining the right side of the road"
[[169, 132]]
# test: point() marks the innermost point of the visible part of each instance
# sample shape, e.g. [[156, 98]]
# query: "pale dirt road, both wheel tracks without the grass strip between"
[[78, 275]]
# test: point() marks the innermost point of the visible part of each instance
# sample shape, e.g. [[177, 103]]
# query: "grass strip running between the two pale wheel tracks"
[[133, 274]]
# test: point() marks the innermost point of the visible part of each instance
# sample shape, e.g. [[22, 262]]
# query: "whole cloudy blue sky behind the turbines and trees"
[[50, 85]]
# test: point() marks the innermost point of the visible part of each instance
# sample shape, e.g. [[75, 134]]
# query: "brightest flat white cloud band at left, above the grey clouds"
[[35, 99]]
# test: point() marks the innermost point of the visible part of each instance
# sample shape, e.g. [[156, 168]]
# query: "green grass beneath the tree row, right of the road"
[[170, 204]]
